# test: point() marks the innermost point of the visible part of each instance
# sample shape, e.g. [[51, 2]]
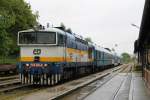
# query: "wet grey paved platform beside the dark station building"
[[124, 86]]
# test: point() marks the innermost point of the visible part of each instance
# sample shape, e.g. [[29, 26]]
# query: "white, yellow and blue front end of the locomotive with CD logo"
[[40, 57]]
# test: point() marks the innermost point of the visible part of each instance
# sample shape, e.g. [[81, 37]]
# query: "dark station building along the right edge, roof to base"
[[142, 44]]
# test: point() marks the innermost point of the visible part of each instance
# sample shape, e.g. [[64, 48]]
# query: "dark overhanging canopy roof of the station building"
[[144, 34]]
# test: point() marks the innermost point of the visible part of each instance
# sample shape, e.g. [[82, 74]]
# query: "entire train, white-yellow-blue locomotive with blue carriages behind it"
[[50, 56]]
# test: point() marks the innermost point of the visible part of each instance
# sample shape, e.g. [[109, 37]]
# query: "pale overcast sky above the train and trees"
[[107, 22]]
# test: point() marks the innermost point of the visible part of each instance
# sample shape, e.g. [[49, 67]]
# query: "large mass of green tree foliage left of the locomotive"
[[15, 15]]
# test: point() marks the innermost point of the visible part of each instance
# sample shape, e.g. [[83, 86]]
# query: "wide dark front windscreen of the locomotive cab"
[[37, 38]]
